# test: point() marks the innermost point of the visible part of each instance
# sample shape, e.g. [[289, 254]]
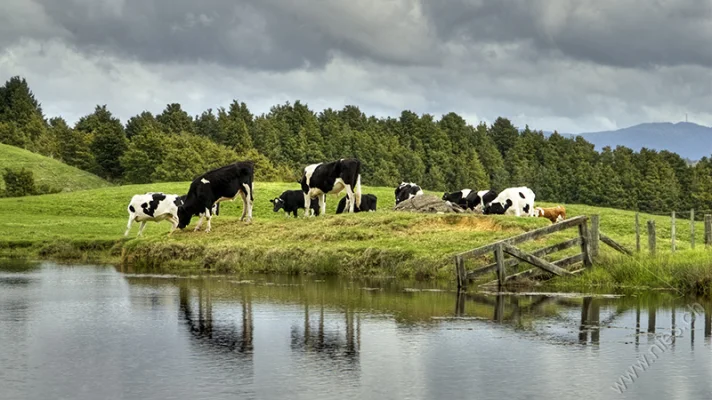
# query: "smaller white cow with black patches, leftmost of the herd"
[[156, 207]]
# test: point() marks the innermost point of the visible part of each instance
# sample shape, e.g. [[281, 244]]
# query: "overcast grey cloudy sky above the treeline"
[[570, 65]]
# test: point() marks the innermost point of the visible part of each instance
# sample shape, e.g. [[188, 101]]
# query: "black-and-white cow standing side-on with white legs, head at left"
[[321, 179]]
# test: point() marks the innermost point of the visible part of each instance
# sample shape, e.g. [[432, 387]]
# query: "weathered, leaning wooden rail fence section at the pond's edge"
[[587, 239]]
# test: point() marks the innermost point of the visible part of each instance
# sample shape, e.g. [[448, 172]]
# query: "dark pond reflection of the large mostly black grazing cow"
[[221, 334]]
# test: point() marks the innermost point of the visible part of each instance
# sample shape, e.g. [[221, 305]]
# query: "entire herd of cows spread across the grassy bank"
[[208, 190]]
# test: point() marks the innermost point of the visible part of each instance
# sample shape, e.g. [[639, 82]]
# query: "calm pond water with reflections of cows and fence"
[[90, 332]]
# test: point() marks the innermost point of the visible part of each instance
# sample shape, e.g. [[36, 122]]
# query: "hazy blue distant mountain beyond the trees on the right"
[[689, 140]]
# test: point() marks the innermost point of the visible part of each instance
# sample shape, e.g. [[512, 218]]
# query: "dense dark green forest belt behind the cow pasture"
[[439, 154]]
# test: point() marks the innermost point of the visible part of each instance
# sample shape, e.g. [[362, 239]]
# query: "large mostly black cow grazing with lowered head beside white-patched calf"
[[212, 187]]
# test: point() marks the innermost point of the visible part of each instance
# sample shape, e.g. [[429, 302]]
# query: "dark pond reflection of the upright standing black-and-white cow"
[[325, 338]]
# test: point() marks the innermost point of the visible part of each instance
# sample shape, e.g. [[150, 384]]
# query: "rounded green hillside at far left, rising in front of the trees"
[[48, 171]]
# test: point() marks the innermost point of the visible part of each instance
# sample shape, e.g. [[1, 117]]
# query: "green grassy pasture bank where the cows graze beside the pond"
[[91, 223]]
